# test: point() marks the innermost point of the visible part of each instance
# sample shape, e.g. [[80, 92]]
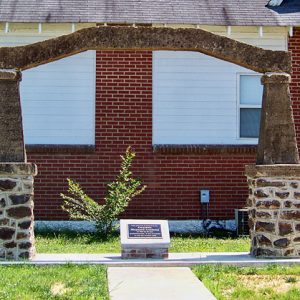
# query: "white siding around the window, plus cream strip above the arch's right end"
[[196, 97]]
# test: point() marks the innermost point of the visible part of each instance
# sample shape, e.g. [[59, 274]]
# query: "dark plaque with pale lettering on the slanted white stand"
[[144, 231]]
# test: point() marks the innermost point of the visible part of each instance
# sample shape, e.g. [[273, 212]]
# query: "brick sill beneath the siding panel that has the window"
[[204, 149]]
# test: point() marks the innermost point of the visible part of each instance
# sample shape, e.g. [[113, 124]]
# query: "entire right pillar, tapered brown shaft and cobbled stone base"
[[274, 182]]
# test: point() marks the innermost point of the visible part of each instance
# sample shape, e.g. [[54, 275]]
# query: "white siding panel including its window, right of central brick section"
[[201, 100]]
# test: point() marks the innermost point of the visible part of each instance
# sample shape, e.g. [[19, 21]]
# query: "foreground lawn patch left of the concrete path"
[[53, 282]]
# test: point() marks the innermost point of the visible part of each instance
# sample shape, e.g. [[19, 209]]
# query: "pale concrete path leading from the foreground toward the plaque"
[[155, 284]]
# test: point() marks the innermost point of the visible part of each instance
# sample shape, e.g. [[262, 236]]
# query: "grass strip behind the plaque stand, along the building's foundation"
[[89, 243]]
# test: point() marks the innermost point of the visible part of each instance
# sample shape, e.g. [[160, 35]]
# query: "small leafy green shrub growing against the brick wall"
[[119, 193]]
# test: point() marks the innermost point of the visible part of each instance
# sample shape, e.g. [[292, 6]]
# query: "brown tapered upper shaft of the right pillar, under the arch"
[[277, 139]]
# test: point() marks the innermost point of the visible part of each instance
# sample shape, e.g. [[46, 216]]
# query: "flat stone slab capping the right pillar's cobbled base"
[[280, 170]]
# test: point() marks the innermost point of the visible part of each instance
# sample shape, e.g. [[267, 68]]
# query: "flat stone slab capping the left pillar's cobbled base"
[[18, 169]]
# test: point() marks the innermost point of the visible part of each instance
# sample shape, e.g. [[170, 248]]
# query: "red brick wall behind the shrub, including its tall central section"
[[173, 177]]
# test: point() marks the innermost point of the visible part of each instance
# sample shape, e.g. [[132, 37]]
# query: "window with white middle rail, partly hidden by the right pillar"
[[250, 99]]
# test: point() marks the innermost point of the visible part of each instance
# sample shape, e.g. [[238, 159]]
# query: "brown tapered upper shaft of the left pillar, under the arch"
[[11, 137]]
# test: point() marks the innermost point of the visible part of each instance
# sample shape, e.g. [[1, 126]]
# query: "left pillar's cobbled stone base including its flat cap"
[[16, 211]]
